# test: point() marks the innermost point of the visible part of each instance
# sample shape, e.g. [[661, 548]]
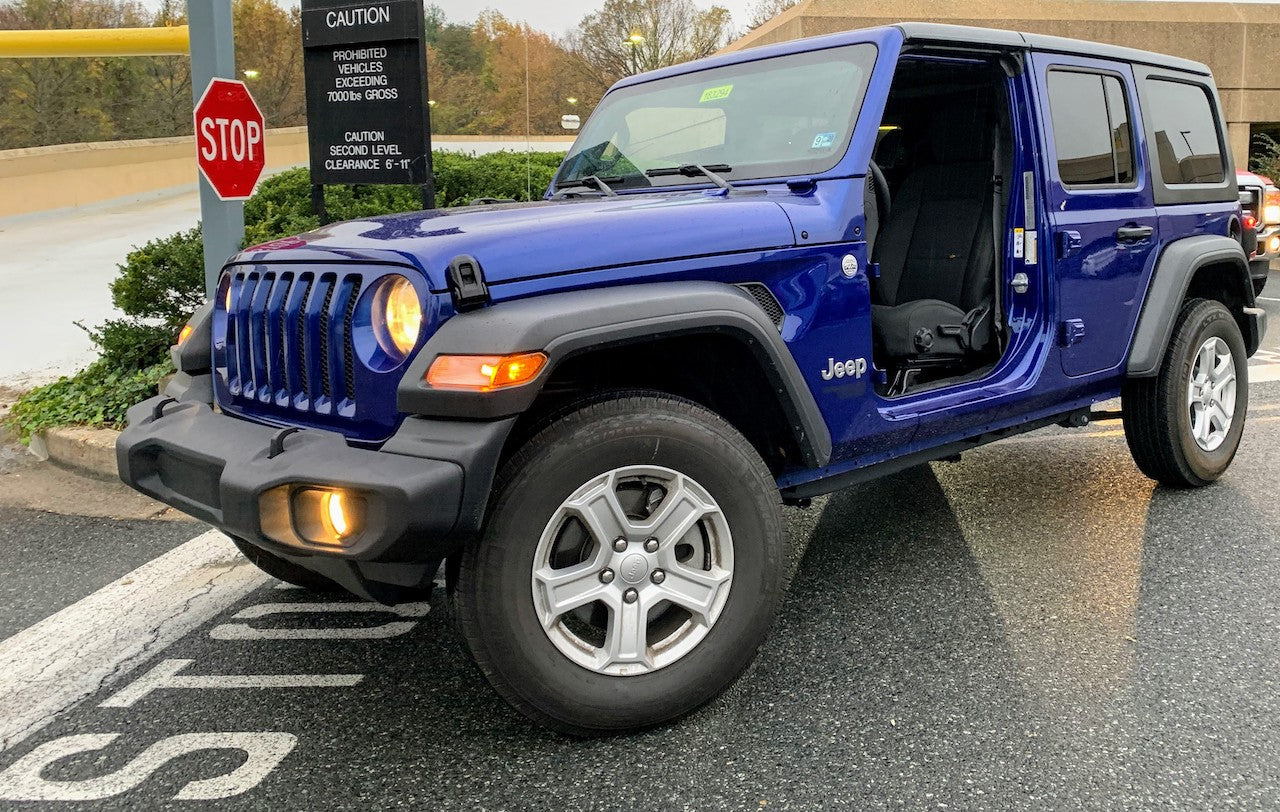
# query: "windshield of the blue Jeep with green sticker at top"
[[781, 117]]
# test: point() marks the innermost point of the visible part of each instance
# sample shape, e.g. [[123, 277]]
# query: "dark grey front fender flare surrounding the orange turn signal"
[[573, 323]]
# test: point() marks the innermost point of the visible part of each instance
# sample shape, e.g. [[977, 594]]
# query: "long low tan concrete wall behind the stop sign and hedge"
[[76, 175]]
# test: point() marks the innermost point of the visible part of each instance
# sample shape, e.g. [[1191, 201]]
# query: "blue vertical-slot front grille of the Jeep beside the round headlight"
[[289, 340]]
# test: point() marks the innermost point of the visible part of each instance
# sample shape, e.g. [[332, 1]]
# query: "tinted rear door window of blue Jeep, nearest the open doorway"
[[1091, 129]]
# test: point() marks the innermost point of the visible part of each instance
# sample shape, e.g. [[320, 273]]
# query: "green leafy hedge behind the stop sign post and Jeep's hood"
[[162, 284]]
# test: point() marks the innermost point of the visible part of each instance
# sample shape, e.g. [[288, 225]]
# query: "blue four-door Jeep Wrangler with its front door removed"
[[756, 279]]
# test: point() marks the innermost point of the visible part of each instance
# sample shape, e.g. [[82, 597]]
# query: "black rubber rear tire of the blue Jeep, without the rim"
[[1156, 416]]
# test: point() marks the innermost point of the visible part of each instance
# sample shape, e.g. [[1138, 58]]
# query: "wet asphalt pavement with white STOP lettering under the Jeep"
[[1036, 626]]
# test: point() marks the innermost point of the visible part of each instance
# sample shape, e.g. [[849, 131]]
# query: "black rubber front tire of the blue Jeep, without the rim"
[[495, 605]]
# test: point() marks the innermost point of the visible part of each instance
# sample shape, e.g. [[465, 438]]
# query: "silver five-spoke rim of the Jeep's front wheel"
[[633, 571]]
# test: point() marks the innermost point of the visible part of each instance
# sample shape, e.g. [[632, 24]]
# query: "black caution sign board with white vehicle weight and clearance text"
[[368, 118]]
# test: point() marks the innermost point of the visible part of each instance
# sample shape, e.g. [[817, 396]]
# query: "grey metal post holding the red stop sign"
[[213, 56]]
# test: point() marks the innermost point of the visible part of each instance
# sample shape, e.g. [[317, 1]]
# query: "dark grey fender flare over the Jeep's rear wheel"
[[1174, 271]]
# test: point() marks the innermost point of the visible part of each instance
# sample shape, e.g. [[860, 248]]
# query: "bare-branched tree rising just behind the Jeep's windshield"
[[632, 37]]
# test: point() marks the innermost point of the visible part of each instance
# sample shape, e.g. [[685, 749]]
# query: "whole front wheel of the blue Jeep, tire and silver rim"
[[630, 571]]
